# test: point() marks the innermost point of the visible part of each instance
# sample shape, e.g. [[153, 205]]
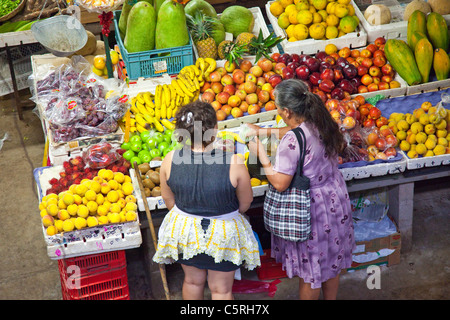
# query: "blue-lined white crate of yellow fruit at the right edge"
[[407, 104]]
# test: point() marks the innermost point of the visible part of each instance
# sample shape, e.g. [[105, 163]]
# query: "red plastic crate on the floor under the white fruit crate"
[[95, 277]]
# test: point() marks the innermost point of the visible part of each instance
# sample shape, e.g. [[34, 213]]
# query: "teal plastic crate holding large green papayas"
[[153, 63]]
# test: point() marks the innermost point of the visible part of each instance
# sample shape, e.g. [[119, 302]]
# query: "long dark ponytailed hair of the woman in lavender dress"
[[294, 95]]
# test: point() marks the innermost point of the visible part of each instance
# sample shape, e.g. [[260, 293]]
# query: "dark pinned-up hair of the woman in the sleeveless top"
[[193, 117]]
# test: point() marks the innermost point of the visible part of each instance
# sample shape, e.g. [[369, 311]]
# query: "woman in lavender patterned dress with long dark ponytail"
[[318, 260]]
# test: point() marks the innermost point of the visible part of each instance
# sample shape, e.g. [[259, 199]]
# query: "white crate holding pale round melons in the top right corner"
[[396, 29]]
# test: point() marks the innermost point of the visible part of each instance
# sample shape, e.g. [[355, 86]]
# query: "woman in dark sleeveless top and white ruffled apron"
[[206, 191]]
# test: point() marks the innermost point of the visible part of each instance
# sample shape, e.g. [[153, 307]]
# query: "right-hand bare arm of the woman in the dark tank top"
[[240, 179]]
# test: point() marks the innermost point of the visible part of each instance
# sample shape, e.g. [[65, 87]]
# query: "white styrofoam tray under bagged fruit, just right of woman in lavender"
[[374, 170]]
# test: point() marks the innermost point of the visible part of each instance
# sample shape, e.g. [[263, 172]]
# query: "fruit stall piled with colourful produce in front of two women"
[[107, 111]]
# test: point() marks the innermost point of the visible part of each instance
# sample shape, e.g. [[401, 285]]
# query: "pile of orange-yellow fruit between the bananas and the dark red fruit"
[[238, 89]]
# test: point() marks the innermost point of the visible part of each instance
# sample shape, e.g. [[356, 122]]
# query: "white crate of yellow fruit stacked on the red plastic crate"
[[92, 240]]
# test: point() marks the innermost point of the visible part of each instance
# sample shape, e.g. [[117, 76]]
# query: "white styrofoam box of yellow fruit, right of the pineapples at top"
[[356, 39]]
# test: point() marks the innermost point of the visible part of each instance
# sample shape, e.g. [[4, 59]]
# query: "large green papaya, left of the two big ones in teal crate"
[[140, 35]]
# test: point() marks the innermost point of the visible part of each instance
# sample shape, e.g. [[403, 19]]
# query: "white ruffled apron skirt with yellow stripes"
[[228, 237]]
